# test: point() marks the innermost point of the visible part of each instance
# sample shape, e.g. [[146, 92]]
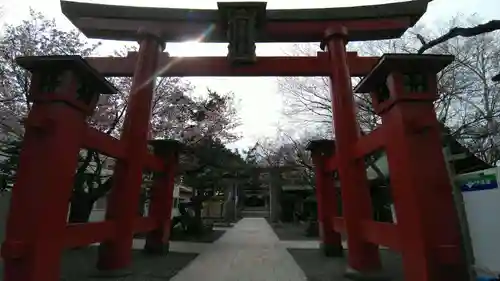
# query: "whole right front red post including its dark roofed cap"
[[403, 90]]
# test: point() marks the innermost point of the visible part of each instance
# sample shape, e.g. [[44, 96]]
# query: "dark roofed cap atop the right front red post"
[[399, 77]]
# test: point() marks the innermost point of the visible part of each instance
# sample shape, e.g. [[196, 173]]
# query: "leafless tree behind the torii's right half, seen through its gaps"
[[468, 98]]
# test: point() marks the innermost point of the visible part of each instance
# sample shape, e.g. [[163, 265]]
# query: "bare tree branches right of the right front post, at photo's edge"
[[469, 102]]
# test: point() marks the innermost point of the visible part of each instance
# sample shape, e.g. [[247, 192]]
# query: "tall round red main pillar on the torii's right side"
[[356, 201]]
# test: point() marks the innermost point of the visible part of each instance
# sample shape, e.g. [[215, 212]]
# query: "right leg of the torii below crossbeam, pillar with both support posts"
[[403, 89]]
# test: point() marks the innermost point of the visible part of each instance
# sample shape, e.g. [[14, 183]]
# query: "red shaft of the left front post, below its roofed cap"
[[37, 219]]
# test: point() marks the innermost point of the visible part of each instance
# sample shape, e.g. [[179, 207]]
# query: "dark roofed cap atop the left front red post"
[[57, 78]]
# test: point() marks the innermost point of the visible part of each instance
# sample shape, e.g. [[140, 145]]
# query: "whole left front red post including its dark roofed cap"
[[64, 91]]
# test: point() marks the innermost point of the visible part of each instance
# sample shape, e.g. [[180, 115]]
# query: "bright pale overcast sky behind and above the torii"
[[260, 105]]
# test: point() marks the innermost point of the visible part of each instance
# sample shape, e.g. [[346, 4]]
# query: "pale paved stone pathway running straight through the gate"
[[250, 251]]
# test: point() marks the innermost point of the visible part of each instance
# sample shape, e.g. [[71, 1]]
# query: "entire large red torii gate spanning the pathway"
[[37, 230]]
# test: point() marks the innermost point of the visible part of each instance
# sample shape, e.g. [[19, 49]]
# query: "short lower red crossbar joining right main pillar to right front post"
[[382, 233]]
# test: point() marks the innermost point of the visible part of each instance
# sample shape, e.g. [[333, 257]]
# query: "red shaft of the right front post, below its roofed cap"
[[421, 189]]
